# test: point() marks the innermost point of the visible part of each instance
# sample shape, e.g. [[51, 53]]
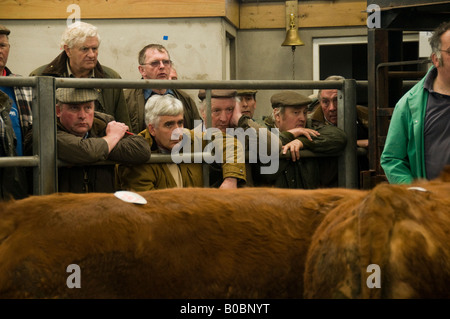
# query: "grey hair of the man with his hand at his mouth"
[[161, 105]]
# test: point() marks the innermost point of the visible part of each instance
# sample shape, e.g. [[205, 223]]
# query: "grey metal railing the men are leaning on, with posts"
[[44, 159]]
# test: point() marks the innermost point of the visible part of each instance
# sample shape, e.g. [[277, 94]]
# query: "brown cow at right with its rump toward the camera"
[[402, 230]]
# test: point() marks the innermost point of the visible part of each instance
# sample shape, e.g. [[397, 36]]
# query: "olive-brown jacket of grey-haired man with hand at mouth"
[[151, 176]]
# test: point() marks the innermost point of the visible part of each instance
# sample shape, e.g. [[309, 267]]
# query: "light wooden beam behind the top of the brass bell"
[[271, 15]]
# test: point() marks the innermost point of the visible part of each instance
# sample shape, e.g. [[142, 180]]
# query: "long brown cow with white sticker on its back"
[[184, 243]]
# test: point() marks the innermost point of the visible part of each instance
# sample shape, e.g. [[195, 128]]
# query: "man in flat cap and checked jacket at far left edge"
[[15, 122]]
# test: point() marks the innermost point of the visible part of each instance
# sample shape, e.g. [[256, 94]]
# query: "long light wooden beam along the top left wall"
[[112, 9]]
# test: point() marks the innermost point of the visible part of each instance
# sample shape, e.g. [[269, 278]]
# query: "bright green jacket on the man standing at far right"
[[403, 156]]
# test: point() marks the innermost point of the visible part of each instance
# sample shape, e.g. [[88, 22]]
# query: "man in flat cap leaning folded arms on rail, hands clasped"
[[87, 137]]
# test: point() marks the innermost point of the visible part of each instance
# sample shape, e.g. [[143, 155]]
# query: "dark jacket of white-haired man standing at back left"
[[110, 101]]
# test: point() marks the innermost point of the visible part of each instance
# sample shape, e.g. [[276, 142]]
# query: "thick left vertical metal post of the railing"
[[44, 137]]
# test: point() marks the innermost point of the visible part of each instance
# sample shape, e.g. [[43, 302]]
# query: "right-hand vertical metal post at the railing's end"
[[347, 162]]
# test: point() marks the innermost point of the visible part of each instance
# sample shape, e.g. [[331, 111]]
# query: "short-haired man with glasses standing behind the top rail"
[[155, 64]]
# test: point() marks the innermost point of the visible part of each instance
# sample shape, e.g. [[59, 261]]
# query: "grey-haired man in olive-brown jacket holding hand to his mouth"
[[164, 133]]
